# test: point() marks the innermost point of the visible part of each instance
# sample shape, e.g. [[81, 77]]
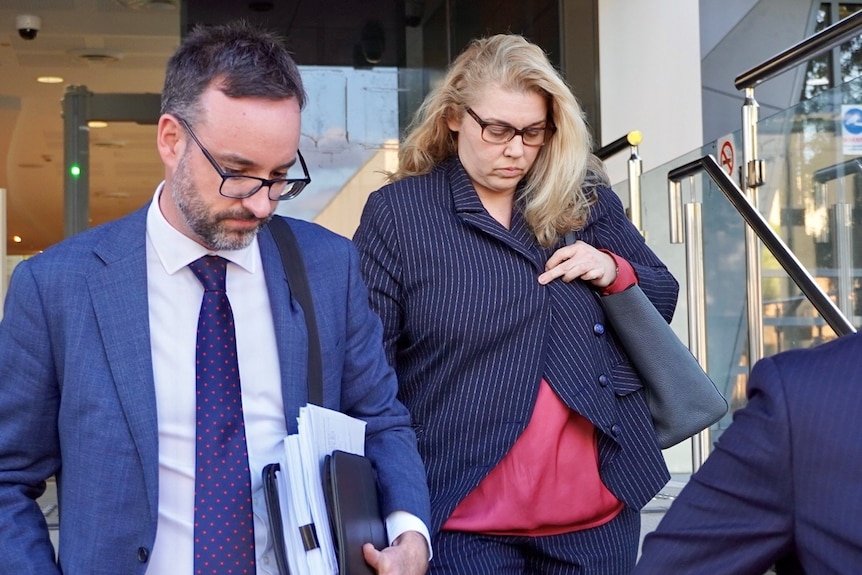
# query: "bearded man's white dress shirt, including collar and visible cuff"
[[175, 296]]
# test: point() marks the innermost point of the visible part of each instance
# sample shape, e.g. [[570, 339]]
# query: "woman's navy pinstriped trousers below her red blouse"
[[610, 549]]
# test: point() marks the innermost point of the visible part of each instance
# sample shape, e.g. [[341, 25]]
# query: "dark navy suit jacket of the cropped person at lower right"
[[784, 479]]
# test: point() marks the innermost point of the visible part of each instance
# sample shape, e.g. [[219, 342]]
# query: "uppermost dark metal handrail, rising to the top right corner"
[[811, 47]]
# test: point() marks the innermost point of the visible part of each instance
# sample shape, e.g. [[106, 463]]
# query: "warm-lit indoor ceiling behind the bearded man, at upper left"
[[124, 165]]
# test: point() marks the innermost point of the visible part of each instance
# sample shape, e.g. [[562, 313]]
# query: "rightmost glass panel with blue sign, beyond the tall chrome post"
[[811, 198]]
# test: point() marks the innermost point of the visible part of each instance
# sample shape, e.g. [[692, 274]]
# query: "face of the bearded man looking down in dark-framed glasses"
[[246, 136]]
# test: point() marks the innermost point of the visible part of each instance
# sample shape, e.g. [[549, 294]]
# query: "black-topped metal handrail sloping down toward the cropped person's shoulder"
[[797, 272]]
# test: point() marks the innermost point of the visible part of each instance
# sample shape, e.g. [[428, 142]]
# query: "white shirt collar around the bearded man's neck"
[[176, 250]]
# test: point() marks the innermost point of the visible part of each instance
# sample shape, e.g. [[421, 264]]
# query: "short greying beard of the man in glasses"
[[207, 225]]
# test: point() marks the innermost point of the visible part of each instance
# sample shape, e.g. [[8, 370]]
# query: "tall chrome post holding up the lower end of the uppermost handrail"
[[752, 175]]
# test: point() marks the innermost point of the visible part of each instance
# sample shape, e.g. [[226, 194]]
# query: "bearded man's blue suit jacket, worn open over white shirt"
[[77, 396]]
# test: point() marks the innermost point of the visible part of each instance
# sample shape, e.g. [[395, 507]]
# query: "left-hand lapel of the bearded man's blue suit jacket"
[[119, 295]]
